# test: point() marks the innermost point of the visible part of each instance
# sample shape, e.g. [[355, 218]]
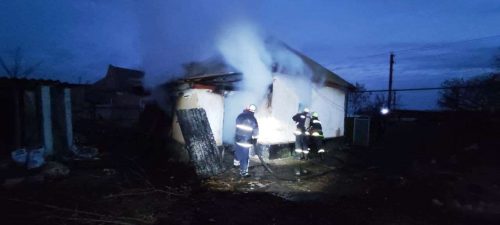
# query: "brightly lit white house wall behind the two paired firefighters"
[[275, 122]]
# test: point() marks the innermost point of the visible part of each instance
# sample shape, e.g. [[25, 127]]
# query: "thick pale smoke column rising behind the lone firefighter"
[[243, 49]]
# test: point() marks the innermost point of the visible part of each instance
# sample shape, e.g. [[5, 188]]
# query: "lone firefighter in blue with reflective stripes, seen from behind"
[[247, 131]]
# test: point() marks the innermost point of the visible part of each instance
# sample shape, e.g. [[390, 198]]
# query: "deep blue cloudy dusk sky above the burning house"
[[432, 40]]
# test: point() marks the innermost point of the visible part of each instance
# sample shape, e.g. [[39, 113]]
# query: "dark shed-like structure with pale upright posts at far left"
[[35, 114]]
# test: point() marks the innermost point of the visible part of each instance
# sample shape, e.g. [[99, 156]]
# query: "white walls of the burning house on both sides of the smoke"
[[275, 121]]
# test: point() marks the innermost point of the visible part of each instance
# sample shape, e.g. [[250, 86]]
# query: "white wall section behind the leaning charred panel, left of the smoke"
[[201, 98]]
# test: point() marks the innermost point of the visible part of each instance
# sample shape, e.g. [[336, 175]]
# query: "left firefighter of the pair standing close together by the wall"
[[302, 120]]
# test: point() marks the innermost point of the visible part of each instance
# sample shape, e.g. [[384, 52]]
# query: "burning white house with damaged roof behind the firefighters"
[[213, 85]]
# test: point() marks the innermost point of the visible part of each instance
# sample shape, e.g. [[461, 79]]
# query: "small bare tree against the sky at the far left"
[[18, 67]]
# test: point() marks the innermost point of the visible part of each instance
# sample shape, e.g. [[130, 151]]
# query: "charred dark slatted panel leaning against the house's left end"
[[200, 142]]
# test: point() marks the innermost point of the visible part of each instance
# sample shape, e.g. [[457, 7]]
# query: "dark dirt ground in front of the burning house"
[[383, 184]]
